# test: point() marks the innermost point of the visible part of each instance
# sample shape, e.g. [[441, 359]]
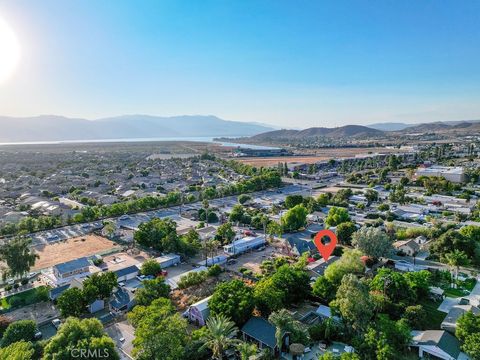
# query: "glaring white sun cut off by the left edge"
[[9, 51]]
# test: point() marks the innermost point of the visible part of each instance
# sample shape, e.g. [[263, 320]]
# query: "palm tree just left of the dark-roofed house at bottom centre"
[[220, 335]]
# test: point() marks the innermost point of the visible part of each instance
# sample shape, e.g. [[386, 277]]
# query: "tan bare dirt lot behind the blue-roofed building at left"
[[71, 249]]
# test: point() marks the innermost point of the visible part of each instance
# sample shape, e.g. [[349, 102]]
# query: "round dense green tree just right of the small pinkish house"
[[234, 300]]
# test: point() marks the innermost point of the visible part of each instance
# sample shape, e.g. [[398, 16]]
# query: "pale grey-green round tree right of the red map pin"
[[372, 242]]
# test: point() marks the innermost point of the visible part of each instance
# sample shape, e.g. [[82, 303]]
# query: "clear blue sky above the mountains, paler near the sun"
[[289, 63]]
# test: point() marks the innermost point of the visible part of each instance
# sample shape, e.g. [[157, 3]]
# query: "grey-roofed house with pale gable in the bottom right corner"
[[437, 344]]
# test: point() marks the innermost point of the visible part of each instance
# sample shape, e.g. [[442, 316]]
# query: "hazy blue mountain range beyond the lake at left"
[[59, 128]]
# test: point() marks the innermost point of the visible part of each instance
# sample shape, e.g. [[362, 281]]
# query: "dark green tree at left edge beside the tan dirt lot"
[[18, 256]]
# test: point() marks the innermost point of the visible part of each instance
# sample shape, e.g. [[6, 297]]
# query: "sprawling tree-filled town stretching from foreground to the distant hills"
[[197, 251]]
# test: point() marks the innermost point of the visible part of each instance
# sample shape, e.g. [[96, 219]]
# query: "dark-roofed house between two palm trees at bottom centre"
[[259, 331]]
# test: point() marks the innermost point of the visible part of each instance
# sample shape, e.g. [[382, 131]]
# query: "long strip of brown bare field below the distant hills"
[[317, 155]]
